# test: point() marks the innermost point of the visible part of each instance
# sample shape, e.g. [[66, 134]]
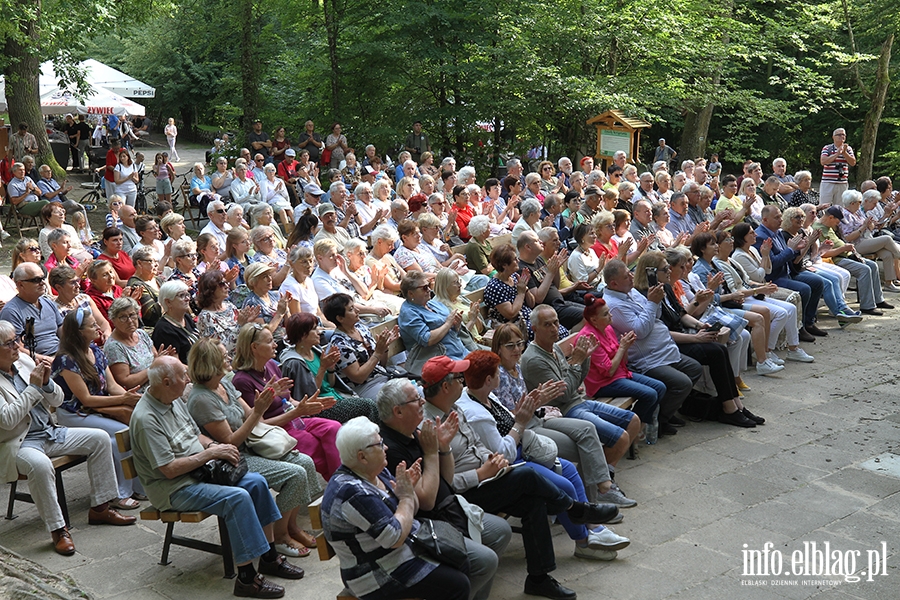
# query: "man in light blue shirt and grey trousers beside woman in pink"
[[653, 353]]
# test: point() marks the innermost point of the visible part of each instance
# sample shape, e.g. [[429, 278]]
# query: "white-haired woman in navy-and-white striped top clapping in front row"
[[369, 516]]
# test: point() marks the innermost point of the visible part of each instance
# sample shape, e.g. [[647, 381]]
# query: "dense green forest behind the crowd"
[[746, 78]]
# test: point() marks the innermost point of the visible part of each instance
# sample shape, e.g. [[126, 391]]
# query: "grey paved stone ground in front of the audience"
[[819, 471]]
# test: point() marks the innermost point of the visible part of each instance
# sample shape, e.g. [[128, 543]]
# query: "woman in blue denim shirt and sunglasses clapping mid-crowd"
[[428, 328]]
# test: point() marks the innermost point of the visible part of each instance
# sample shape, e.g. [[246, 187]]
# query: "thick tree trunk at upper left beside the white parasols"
[[22, 95]]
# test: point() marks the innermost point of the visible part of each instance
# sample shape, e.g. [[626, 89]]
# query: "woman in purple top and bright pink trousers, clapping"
[[255, 368]]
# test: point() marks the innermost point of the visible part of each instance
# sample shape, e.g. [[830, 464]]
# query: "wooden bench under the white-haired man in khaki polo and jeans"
[[170, 517]]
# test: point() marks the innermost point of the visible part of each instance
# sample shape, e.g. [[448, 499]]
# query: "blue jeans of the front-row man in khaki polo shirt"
[[246, 508]]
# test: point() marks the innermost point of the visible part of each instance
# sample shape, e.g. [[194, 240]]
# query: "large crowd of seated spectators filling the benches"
[[470, 329]]
